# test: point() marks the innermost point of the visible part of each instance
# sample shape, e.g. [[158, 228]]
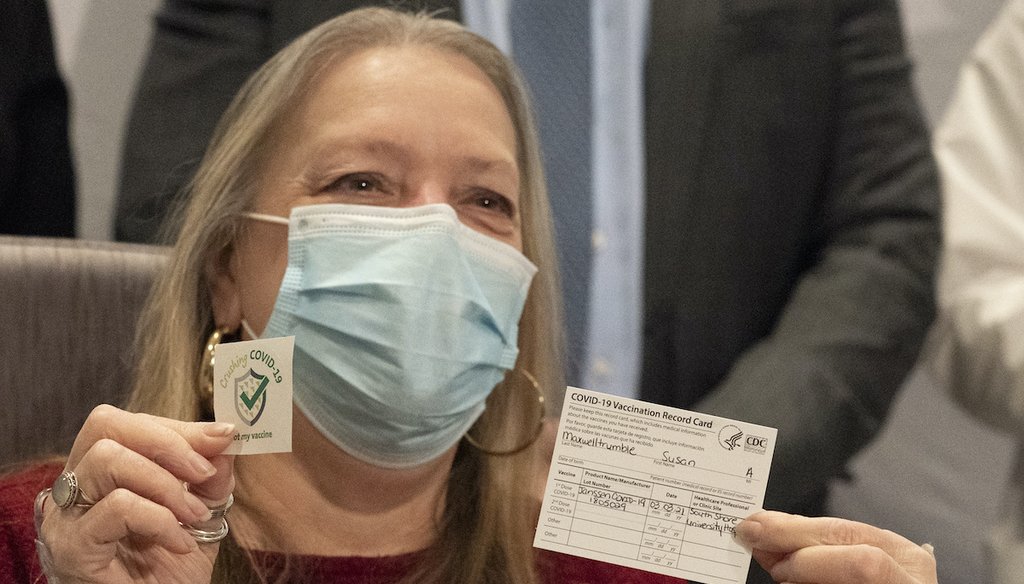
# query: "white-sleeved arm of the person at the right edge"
[[980, 148]]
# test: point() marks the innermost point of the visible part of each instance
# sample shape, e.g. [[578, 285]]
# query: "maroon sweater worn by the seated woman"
[[20, 565]]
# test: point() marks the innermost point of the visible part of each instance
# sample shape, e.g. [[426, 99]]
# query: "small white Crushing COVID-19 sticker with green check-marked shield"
[[252, 389]]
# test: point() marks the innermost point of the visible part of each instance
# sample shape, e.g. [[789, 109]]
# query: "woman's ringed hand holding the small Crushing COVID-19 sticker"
[[135, 467]]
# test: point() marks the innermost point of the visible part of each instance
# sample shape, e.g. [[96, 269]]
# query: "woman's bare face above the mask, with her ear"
[[398, 128]]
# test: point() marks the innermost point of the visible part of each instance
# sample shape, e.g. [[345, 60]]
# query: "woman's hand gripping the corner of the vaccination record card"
[[830, 551]]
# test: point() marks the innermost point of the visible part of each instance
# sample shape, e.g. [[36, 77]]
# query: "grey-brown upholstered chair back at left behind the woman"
[[68, 312]]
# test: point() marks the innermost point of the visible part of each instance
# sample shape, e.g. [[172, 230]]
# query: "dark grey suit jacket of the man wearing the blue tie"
[[792, 204]]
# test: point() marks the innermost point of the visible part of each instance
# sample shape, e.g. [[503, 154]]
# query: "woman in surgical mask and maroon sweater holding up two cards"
[[403, 150]]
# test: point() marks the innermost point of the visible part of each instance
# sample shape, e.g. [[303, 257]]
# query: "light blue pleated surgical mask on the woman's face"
[[405, 320]]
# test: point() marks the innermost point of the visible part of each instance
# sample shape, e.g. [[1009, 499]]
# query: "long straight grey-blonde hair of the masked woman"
[[485, 536]]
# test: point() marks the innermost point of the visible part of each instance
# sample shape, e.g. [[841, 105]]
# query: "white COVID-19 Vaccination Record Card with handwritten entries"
[[654, 488]]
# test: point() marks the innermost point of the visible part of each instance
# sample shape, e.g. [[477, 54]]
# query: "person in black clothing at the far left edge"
[[37, 179]]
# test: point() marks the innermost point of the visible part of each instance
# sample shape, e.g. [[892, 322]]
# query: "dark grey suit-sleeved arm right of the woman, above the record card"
[[854, 325]]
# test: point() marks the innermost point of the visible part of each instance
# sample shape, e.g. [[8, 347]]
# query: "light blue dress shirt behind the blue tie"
[[619, 41]]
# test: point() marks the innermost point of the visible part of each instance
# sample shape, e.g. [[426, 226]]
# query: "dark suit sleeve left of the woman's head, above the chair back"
[[201, 54]]
